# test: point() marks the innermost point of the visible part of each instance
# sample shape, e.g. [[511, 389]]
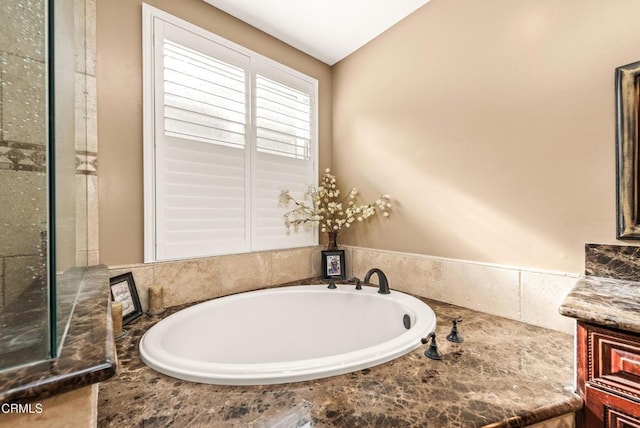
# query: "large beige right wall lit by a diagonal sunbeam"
[[492, 125]]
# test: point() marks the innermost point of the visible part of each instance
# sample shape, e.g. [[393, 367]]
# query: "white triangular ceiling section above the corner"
[[328, 30]]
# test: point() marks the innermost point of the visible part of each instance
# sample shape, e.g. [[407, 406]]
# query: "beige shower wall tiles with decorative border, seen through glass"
[[22, 145]]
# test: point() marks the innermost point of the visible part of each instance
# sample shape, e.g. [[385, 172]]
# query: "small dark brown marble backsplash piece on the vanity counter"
[[612, 261]]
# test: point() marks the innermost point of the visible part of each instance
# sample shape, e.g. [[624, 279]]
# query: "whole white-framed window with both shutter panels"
[[225, 130]]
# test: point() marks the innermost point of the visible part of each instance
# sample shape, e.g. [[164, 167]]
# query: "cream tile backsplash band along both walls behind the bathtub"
[[522, 294]]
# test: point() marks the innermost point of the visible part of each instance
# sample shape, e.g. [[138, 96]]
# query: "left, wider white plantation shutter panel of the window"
[[201, 155]]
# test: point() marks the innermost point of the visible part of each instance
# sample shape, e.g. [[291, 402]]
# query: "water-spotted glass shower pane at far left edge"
[[24, 222]]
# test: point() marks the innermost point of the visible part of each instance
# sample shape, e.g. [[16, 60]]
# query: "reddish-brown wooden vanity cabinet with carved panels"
[[608, 377]]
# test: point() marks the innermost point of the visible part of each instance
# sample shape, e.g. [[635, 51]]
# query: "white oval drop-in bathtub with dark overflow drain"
[[286, 334]]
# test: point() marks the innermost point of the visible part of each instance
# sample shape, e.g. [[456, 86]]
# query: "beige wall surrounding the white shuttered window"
[[119, 81]]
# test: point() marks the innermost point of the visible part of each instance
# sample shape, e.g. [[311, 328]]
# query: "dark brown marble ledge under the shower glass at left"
[[88, 355]]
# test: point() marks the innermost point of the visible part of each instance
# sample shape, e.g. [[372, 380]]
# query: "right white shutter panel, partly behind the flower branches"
[[284, 126]]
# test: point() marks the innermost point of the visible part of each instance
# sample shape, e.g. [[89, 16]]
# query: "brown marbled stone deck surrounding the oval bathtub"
[[505, 374]]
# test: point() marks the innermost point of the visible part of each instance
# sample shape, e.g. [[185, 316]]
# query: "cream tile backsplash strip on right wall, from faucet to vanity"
[[527, 295]]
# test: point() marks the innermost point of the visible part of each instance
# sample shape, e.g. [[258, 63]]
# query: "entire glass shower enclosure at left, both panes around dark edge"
[[43, 208]]
